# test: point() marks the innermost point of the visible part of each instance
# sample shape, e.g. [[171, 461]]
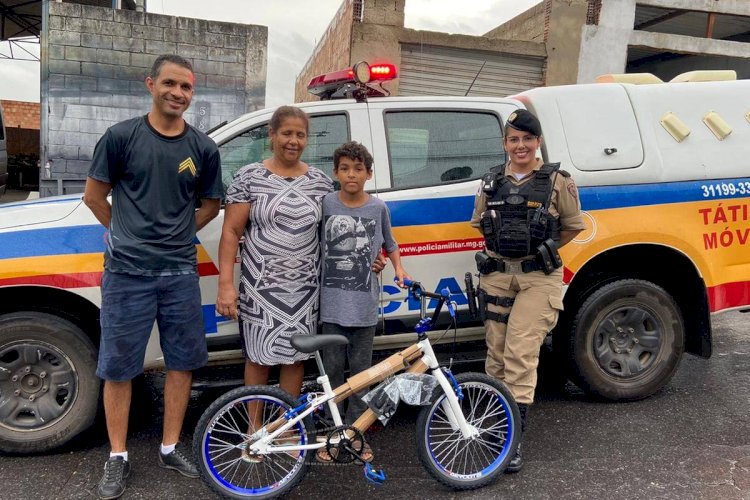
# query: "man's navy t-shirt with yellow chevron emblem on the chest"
[[156, 181]]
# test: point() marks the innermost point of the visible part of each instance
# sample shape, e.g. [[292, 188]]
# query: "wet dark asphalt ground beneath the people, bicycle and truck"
[[689, 441]]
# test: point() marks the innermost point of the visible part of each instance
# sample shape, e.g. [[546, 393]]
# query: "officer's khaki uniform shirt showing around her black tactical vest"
[[564, 203]]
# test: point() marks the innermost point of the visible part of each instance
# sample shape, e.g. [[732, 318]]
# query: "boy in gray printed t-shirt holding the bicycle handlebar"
[[355, 227]]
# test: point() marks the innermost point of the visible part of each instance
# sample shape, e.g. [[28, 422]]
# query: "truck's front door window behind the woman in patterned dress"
[[327, 132]]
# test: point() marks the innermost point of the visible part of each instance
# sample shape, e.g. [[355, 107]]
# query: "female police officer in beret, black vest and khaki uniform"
[[525, 210]]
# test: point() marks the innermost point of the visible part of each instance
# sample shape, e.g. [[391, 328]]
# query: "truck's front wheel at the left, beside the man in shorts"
[[49, 391]]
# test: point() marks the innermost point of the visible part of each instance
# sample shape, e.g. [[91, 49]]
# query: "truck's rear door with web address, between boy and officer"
[[437, 151]]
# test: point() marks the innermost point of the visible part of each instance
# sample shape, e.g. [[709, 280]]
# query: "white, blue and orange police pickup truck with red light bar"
[[661, 170]]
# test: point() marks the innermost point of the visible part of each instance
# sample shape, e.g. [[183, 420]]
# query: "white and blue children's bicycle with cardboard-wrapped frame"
[[258, 441]]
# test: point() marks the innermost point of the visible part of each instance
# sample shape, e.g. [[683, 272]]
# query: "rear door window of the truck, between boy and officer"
[[429, 148]]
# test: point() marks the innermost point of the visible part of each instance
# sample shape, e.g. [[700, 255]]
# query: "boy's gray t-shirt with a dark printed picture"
[[351, 240]]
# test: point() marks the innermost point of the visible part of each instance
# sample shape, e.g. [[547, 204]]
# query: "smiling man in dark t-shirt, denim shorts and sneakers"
[[158, 169]]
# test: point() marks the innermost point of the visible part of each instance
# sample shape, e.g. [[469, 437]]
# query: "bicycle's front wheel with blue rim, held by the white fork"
[[465, 464]]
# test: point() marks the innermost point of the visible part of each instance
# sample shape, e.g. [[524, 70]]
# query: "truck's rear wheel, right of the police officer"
[[627, 340]]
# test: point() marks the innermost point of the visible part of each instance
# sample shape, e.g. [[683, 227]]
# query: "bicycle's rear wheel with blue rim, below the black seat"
[[223, 433]]
